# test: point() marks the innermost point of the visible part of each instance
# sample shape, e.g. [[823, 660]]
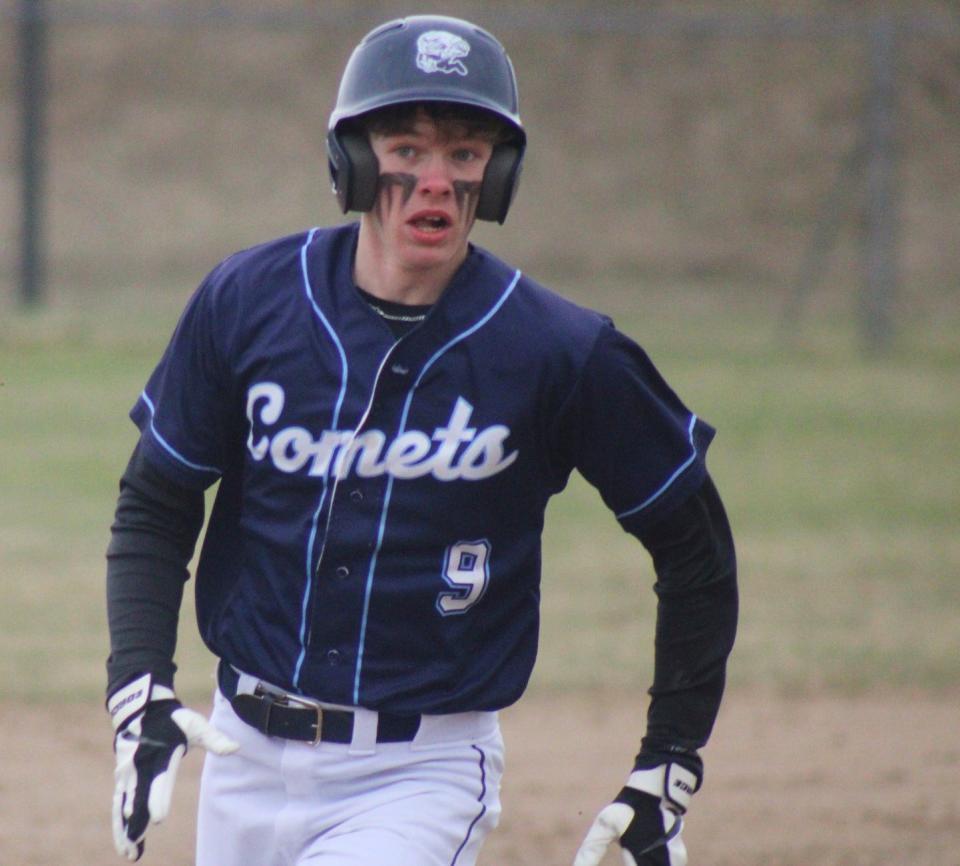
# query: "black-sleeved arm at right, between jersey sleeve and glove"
[[695, 562]]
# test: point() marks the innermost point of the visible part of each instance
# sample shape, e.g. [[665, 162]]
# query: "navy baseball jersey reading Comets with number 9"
[[375, 538]]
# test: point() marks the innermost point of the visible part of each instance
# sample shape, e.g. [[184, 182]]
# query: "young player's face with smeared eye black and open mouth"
[[429, 185]]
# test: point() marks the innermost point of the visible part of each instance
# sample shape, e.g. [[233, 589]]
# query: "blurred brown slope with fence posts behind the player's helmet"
[[806, 156]]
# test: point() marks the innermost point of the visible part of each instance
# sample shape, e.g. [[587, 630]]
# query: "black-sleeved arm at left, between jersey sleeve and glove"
[[152, 540]]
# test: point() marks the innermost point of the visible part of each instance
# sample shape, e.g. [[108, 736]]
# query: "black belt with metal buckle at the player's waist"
[[293, 718]]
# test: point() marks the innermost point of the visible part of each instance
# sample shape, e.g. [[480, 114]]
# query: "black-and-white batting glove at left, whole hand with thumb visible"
[[152, 732]]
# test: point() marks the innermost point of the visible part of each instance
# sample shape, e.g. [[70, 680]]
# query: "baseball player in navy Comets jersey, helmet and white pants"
[[388, 409]]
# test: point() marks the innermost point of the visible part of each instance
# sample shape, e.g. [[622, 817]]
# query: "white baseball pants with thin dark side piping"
[[278, 802]]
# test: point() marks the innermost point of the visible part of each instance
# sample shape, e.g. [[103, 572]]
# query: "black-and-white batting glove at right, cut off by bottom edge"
[[646, 818]]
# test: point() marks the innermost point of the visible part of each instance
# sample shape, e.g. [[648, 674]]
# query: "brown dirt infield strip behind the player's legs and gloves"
[[811, 781]]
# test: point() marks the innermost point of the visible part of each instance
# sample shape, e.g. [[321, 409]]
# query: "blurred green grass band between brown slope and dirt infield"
[[841, 475]]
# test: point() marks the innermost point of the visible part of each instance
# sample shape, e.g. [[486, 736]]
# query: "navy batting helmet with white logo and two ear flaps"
[[425, 58]]
